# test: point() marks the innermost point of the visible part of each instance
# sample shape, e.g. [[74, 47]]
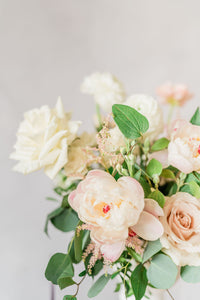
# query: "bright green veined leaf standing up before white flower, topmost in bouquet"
[[131, 123]]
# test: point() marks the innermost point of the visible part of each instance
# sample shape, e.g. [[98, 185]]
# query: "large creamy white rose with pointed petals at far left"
[[43, 139]]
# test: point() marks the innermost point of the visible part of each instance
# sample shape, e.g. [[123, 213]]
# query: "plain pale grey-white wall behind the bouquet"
[[46, 48]]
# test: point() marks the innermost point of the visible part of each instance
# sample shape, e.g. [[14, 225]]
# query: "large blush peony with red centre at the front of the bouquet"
[[110, 207]]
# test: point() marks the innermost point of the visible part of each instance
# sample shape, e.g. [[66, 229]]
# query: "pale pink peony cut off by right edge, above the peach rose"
[[184, 148]]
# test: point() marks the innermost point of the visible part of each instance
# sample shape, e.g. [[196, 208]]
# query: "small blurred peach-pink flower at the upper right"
[[176, 94]]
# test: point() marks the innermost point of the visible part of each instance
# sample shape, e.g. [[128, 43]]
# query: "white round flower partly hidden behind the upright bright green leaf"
[[148, 107]]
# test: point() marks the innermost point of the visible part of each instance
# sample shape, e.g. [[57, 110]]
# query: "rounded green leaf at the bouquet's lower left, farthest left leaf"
[[59, 265]]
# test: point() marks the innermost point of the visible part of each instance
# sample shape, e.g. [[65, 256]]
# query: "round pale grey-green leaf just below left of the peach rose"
[[162, 272]]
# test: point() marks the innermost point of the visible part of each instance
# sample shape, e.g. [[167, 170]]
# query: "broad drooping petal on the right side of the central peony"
[[148, 227]]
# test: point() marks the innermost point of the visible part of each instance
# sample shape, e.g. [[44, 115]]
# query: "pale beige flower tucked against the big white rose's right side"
[[79, 156]]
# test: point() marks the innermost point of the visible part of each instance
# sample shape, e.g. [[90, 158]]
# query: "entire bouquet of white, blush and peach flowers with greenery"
[[130, 192]]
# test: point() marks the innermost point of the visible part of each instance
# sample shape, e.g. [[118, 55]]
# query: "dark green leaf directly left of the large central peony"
[[66, 221]]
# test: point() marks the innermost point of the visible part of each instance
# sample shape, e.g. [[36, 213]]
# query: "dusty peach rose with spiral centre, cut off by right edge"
[[181, 222]]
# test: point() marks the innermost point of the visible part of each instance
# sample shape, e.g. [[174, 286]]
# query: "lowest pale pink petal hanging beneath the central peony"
[[112, 251]]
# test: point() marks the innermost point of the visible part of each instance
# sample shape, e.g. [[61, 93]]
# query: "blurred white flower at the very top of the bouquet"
[[106, 89]]
